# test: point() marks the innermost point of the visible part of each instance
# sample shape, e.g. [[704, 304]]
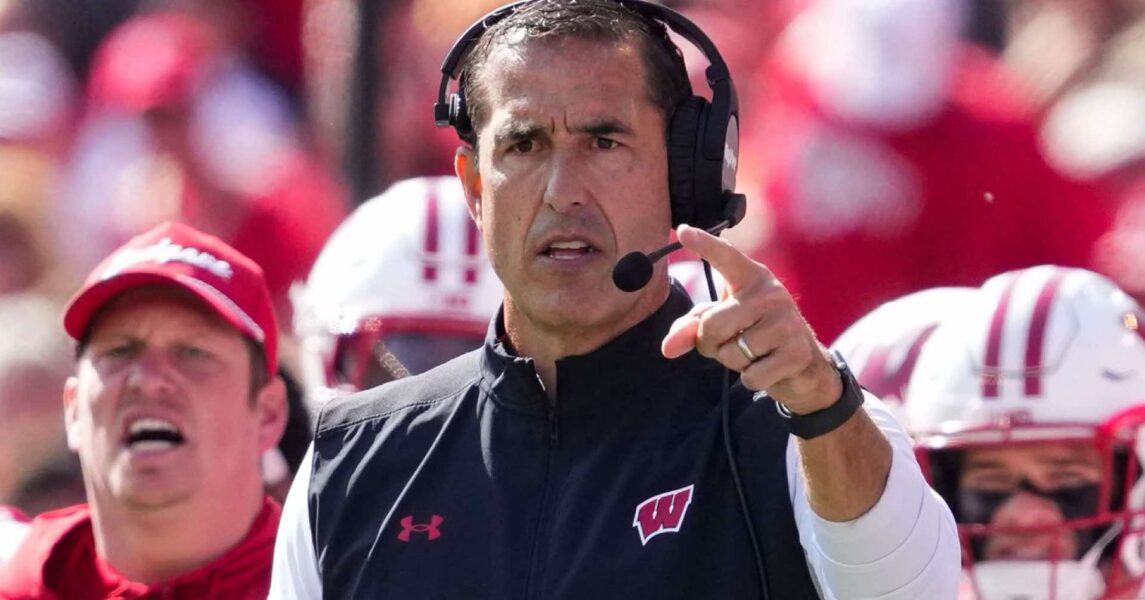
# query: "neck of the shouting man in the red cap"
[[153, 546]]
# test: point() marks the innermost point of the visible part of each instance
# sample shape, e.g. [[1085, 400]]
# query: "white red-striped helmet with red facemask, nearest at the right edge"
[[1043, 357]]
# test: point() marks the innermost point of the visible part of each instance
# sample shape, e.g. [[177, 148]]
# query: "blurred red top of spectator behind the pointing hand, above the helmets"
[[863, 217]]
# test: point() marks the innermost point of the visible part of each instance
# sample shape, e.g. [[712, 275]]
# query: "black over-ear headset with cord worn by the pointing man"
[[704, 145]]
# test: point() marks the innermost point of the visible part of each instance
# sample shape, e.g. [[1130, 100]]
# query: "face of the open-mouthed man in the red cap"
[[160, 409]]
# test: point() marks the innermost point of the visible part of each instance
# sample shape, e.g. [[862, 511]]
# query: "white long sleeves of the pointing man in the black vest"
[[905, 548]]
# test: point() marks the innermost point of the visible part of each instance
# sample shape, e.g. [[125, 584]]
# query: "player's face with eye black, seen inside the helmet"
[[1038, 487]]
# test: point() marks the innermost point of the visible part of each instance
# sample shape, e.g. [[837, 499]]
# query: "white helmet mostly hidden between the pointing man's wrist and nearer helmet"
[[883, 346]]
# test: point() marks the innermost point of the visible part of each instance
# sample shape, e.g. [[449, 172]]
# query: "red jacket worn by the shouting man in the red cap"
[[58, 562]]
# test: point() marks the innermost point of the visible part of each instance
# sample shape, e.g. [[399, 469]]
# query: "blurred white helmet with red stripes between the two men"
[[402, 286]]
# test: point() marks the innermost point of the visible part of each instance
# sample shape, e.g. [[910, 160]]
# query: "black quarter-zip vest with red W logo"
[[465, 483]]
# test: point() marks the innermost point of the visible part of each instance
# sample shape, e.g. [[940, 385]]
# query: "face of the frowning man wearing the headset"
[[572, 176]]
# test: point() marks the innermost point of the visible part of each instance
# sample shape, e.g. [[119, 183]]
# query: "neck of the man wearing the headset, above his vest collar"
[[547, 343]]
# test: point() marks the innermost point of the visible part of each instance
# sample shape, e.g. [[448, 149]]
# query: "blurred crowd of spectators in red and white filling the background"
[[889, 146]]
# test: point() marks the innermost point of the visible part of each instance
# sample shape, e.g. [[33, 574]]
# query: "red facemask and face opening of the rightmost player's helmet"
[[1064, 539]]
